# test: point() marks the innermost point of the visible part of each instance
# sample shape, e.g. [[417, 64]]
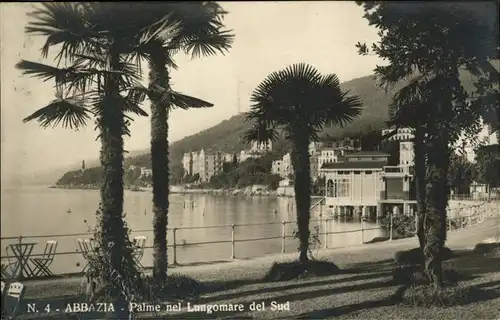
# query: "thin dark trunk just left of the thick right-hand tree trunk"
[[420, 183]]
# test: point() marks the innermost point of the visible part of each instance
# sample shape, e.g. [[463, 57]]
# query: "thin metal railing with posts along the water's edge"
[[464, 221]]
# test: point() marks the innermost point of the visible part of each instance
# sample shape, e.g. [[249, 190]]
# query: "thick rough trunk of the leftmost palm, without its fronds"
[[114, 236]]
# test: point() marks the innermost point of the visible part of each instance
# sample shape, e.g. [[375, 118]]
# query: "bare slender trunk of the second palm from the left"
[[158, 76]]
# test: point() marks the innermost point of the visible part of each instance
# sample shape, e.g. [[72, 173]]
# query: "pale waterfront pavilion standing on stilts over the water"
[[363, 182]]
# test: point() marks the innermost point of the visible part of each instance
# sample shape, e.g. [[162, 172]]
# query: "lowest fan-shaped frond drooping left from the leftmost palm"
[[70, 113]]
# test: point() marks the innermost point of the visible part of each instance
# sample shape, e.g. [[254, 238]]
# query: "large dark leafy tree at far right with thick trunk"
[[428, 44]]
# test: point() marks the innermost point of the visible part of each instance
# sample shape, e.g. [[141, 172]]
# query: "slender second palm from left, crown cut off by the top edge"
[[198, 33]]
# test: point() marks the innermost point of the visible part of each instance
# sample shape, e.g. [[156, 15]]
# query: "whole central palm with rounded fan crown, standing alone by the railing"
[[299, 101]]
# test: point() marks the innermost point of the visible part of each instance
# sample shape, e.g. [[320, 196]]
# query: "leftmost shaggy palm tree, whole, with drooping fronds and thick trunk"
[[95, 44]]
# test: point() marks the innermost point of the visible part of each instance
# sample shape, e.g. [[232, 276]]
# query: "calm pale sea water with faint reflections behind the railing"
[[46, 212]]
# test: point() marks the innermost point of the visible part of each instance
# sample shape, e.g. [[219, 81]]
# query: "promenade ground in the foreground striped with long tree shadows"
[[362, 289]]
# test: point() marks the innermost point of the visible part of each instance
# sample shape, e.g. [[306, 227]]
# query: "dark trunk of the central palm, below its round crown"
[[302, 188]]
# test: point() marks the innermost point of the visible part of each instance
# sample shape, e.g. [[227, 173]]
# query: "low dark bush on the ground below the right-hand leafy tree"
[[428, 296]]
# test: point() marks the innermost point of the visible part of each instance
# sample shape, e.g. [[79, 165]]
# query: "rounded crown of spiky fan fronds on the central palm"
[[301, 99]]
